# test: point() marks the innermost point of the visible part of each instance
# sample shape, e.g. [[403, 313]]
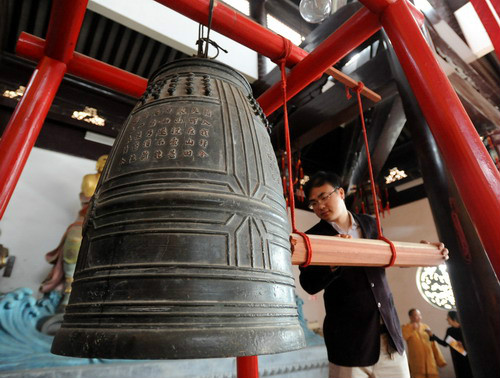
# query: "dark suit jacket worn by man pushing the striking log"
[[355, 299]]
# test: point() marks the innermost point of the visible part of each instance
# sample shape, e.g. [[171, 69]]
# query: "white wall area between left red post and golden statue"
[[45, 202]]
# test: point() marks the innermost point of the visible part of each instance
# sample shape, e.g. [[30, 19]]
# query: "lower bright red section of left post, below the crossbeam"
[[25, 124]]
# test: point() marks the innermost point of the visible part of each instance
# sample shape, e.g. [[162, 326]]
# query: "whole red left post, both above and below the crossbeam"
[[24, 126]]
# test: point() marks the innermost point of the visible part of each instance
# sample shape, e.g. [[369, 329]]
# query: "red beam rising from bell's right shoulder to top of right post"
[[346, 38]]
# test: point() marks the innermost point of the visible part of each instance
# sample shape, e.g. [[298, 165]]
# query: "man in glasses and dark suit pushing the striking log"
[[361, 327]]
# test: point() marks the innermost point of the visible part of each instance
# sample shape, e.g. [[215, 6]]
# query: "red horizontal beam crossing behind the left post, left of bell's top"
[[32, 47]]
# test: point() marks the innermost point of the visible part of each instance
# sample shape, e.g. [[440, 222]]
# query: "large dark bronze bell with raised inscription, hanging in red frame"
[[186, 250]]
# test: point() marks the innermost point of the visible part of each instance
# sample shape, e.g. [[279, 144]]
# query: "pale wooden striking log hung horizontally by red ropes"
[[330, 250]]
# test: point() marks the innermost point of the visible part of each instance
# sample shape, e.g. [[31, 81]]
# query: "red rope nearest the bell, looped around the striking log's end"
[[281, 61]]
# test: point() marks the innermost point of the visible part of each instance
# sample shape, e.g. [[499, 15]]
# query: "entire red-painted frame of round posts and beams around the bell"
[[474, 172]]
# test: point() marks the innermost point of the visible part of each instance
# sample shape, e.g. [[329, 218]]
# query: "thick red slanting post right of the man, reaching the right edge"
[[466, 157]]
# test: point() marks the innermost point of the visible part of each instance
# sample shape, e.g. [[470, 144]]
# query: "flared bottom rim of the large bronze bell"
[[153, 344]]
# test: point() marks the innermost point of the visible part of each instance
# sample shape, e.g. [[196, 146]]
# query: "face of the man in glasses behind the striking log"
[[328, 202]]
